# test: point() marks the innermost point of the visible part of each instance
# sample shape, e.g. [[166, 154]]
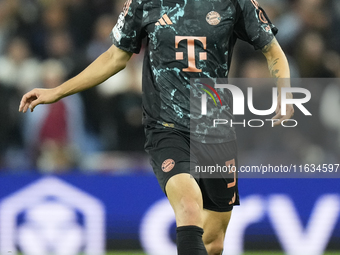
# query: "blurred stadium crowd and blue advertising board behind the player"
[[74, 178]]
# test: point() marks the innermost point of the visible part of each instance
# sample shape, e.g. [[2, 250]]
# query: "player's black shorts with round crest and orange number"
[[173, 153]]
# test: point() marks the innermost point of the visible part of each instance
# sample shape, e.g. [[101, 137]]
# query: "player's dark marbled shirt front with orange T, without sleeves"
[[187, 39]]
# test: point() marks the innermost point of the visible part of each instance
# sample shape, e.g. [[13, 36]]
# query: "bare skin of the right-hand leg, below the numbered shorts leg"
[[215, 225]]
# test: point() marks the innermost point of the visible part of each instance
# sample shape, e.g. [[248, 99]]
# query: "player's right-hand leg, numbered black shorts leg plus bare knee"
[[219, 192]]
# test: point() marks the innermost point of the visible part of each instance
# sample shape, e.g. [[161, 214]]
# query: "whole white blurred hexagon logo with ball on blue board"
[[52, 223]]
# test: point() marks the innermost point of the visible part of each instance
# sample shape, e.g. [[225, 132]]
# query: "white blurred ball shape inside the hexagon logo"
[[51, 227]]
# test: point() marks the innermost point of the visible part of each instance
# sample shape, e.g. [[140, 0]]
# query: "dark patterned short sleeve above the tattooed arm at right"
[[253, 25]]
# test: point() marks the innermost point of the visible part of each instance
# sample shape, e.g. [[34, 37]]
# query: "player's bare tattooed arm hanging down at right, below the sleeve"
[[279, 69]]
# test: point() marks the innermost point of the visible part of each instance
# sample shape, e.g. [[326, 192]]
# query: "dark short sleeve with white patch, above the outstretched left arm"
[[128, 33]]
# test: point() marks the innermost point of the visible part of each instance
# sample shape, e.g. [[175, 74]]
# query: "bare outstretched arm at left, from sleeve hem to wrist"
[[106, 65]]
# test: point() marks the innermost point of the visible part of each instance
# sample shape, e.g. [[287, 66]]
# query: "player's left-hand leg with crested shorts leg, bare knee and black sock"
[[170, 159]]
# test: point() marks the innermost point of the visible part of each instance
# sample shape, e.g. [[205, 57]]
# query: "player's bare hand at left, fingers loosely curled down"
[[37, 96]]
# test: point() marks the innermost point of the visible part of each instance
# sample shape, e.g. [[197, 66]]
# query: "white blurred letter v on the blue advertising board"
[[296, 239]]
